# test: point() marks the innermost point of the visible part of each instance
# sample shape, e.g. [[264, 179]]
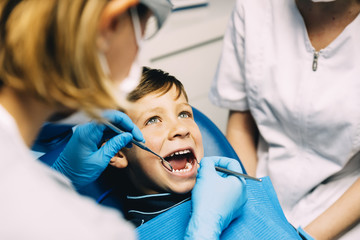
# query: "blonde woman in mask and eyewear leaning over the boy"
[[58, 57]]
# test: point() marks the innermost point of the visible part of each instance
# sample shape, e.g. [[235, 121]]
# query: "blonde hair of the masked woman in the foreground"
[[48, 49]]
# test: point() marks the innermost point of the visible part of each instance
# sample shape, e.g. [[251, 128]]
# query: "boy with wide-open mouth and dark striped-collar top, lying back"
[[159, 107]]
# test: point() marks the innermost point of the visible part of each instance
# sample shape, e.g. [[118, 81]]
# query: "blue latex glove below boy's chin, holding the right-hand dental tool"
[[217, 198]]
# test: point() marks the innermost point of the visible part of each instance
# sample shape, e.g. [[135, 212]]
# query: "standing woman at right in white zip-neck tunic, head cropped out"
[[289, 74]]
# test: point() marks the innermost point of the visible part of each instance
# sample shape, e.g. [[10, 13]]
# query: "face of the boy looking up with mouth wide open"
[[169, 129]]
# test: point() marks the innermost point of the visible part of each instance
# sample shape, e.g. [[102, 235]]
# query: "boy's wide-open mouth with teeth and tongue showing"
[[181, 161]]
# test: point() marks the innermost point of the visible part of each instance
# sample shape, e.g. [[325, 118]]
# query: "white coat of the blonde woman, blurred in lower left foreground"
[[38, 203]]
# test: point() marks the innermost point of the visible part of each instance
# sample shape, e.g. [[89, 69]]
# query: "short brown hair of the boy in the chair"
[[156, 81]]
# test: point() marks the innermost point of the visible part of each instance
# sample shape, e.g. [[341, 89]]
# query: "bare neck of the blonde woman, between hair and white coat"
[[29, 113]]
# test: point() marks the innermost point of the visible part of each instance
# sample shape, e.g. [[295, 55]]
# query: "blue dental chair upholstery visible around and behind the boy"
[[53, 138]]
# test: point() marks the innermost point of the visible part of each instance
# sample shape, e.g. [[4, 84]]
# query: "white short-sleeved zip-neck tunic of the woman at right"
[[309, 120]]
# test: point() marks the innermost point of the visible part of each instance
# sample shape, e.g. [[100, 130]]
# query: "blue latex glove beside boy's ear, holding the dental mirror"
[[82, 161]]
